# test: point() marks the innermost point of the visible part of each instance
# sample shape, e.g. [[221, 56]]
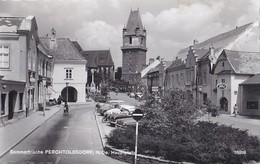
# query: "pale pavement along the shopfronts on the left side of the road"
[[16, 130]]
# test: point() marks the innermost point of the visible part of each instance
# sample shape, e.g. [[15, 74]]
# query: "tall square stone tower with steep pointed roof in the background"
[[134, 48]]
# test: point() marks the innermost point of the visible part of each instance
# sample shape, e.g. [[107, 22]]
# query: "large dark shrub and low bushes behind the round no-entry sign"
[[170, 129]]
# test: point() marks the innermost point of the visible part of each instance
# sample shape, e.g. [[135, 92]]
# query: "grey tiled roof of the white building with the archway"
[[65, 50]]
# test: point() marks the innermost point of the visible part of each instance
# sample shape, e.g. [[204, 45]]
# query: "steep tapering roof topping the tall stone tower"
[[134, 23]]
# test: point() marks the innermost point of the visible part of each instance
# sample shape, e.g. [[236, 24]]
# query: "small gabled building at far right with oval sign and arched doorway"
[[237, 73]]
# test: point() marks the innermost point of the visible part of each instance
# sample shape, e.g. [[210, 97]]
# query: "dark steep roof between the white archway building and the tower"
[[98, 58]]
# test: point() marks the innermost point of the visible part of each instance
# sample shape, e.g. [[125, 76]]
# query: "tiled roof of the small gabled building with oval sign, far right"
[[244, 62]]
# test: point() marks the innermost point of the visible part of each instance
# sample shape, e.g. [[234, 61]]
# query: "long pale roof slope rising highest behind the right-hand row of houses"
[[218, 42]]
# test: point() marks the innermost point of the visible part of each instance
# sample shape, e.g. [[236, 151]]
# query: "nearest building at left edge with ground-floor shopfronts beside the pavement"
[[19, 51]]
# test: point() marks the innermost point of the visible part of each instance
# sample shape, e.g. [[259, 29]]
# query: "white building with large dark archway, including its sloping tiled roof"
[[69, 75]]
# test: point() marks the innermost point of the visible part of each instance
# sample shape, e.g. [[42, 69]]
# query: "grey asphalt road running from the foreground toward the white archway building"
[[62, 140]]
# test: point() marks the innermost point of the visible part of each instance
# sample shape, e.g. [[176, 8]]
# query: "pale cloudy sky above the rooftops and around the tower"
[[171, 24]]
